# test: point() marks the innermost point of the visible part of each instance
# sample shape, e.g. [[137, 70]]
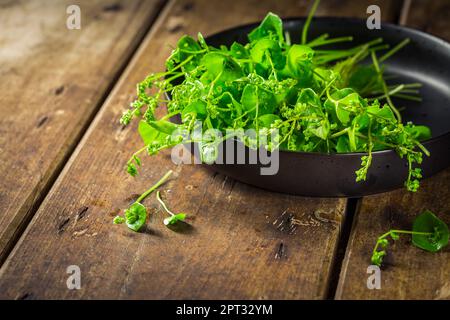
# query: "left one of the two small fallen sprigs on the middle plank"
[[136, 215]]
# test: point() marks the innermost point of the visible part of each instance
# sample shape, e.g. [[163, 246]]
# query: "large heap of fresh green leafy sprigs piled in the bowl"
[[308, 97]]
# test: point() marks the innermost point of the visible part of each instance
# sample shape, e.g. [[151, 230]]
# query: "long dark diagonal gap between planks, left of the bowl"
[[40, 195]]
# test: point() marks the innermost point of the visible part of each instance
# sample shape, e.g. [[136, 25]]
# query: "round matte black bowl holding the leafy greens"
[[426, 60]]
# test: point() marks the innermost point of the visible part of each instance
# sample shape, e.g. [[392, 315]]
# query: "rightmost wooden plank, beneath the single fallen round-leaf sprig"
[[410, 273]]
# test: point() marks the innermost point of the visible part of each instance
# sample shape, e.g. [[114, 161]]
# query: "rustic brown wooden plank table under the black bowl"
[[62, 155]]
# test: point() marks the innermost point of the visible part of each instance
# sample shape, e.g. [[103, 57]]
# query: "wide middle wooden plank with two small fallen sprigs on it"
[[234, 247]]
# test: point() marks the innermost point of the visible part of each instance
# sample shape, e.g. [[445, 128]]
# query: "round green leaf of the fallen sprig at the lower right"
[[428, 222]]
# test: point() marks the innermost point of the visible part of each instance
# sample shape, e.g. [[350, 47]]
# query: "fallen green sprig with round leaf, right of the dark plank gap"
[[428, 233]]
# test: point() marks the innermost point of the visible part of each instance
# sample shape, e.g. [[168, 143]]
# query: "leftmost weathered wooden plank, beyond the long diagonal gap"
[[52, 82]]
